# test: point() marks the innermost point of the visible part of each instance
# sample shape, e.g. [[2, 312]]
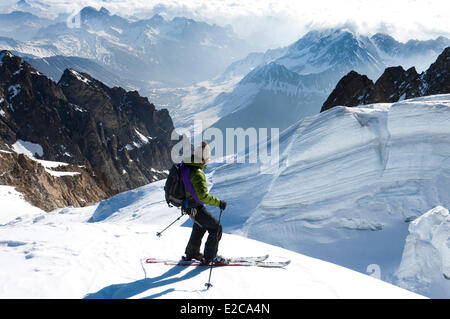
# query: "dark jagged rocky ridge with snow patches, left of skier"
[[118, 135]]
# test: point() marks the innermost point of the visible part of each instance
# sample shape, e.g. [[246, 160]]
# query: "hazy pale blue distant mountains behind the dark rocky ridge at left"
[[176, 52]]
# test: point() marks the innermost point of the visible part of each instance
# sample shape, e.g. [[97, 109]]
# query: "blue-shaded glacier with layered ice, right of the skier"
[[348, 183]]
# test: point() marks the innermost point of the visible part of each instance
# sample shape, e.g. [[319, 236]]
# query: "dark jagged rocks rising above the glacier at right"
[[394, 84]]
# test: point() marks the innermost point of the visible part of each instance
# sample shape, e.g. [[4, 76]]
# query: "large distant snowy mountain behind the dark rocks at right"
[[316, 62]]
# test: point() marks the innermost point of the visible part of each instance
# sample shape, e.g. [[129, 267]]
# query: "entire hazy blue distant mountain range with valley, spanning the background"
[[153, 55]]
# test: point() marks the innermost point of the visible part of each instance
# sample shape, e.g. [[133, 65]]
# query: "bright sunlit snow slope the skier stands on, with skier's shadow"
[[98, 252]]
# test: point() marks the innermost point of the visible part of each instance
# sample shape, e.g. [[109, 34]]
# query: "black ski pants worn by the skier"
[[204, 221]]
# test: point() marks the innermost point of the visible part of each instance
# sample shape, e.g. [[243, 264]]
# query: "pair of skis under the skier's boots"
[[239, 261]]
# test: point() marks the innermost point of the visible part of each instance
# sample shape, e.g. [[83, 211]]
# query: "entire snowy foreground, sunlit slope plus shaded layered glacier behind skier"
[[349, 182]]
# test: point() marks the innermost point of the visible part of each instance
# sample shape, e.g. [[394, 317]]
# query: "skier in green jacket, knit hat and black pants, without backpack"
[[202, 218]]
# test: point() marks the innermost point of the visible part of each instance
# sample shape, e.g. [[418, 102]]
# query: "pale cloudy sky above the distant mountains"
[[281, 22]]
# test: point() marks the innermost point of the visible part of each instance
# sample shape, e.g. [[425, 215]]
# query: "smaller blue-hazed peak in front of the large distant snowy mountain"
[[269, 96]]
